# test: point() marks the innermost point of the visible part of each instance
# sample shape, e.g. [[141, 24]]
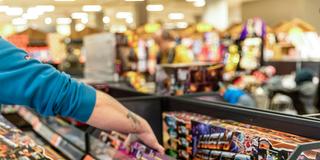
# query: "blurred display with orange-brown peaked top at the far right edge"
[[294, 40]]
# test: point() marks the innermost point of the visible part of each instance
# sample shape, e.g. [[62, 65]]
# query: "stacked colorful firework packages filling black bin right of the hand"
[[216, 139]]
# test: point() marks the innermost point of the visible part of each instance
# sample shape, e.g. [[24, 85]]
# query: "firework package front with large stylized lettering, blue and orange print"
[[213, 136]]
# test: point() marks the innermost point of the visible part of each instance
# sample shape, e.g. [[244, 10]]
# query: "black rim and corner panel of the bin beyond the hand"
[[151, 108]]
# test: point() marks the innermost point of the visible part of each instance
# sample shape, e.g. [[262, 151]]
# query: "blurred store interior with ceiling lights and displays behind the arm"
[[257, 53]]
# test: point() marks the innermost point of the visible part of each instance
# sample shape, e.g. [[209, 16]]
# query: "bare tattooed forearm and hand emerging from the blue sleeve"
[[109, 114]]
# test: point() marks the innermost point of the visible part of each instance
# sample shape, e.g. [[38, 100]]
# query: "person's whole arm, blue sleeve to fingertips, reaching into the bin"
[[49, 92]]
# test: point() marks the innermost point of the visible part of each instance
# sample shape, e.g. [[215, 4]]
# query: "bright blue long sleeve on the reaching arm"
[[28, 82]]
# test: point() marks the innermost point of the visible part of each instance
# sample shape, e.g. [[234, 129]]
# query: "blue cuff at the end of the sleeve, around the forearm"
[[87, 103]]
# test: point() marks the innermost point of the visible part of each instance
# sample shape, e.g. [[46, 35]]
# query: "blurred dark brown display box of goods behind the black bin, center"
[[179, 79]]
